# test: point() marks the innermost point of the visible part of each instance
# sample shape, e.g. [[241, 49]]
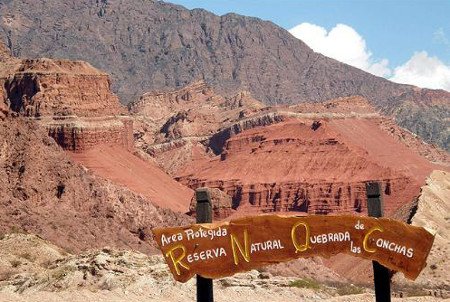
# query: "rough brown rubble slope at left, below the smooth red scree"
[[44, 192]]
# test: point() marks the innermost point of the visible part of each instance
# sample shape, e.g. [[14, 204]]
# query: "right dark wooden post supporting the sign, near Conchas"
[[381, 275]]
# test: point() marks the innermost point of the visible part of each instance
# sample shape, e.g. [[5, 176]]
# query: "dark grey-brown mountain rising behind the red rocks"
[[147, 45]]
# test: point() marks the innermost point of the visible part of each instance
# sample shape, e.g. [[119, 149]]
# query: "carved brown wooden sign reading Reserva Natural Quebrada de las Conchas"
[[222, 249]]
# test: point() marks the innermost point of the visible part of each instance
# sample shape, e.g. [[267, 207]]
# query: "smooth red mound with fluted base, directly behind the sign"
[[312, 166]]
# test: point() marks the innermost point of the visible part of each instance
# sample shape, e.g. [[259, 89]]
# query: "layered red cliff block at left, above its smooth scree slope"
[[71, 99]]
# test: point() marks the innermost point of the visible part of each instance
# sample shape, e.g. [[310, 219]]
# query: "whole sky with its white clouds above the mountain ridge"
[[394, 33]]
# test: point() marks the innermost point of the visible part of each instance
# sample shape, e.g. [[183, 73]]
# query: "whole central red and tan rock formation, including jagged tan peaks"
[[309, 157]]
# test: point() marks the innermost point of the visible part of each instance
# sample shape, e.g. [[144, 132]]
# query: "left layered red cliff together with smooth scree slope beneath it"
[[73, 102]]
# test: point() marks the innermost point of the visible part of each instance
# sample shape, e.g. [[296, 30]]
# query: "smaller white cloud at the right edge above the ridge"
[[423, 71]]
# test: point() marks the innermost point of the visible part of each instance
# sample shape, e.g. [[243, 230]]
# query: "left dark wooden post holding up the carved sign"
[[204, 215]]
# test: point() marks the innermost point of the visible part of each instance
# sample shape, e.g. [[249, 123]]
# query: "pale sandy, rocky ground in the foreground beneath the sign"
[[34, 270]]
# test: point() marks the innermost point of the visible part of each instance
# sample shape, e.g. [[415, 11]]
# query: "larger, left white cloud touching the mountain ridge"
[[342, 43]]
